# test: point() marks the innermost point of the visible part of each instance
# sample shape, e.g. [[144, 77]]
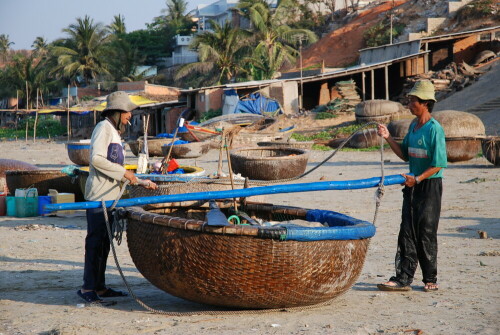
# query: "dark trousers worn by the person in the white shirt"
[[97, 247]]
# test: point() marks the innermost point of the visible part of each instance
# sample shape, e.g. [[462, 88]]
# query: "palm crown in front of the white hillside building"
[[220, 53]]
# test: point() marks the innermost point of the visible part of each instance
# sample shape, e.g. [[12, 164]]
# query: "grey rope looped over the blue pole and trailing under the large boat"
[[120, 226]]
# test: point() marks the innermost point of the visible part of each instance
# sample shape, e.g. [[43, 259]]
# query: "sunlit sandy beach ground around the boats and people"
[[41, 263]]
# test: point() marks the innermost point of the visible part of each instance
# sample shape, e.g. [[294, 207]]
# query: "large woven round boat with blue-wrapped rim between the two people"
[[249, 266]]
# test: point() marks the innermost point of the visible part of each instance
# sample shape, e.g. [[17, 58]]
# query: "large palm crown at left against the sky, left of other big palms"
[[83, 53]]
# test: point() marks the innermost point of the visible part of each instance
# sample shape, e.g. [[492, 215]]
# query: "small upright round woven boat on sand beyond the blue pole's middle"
[[269, 163]]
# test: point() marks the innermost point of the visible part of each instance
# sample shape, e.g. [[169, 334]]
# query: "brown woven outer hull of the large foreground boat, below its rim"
[[243, 271]]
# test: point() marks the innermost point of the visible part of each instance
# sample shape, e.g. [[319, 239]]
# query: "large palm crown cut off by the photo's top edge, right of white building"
[[275, 37]]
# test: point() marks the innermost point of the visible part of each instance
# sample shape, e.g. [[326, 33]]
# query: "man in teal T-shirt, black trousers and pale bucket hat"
[[425, 148]]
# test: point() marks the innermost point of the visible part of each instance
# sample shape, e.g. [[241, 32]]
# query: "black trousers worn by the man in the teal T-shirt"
[[417, 241]]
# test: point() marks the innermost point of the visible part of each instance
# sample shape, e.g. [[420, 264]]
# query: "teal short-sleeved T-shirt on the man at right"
[[425, 147]]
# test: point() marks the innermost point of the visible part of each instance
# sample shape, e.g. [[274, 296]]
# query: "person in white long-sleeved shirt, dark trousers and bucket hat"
[[106, 175]]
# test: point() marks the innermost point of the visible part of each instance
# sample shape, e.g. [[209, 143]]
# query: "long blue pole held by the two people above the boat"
[[246, 192]]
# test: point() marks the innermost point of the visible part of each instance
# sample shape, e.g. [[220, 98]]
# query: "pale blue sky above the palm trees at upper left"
[[24, 20]]
